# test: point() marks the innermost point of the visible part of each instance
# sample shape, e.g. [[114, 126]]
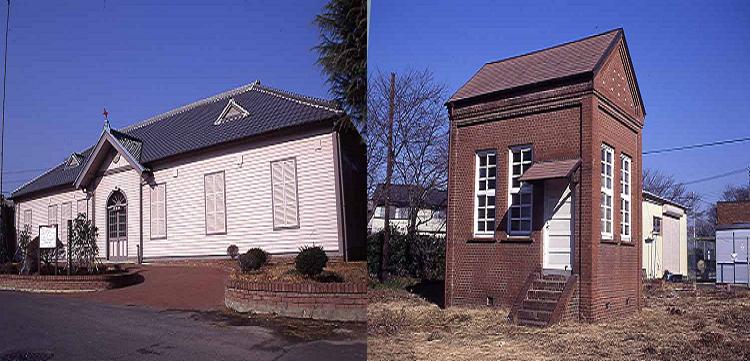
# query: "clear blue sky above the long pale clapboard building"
[[67, 60]]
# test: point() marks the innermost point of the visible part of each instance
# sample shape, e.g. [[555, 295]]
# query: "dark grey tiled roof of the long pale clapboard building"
[[191, 128]]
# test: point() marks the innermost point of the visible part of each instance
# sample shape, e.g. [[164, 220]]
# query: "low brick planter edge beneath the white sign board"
[[55, 284]]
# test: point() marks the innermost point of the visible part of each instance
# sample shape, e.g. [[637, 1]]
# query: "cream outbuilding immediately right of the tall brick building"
[[664, 236]]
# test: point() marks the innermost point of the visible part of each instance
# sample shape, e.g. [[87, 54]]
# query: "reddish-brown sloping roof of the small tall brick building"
[[558, 62]]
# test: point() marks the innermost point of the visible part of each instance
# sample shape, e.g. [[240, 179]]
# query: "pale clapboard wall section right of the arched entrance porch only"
[[249, 214]]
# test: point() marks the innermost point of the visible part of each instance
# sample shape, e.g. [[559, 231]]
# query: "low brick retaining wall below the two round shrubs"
[[325, 301]]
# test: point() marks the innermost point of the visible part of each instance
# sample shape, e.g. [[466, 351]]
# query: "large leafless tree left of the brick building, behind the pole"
[[420, 136]]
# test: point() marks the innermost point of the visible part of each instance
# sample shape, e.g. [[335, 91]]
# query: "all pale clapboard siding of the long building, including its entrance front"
[[248, 201]]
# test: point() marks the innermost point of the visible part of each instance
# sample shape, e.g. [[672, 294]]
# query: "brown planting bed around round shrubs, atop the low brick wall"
[[350, 272]]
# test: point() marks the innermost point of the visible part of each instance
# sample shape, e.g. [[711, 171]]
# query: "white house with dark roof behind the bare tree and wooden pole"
[[429, 206]]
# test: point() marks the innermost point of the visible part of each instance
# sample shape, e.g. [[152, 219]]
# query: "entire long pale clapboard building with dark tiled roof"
[[254, 166]]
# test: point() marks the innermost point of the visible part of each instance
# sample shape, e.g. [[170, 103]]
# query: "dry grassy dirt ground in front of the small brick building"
[[675, 324]]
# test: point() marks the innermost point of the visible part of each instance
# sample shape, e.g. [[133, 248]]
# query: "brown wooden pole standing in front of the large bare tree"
[[383, 271]]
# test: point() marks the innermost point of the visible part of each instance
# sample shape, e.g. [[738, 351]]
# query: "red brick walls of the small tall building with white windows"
[[569, 121]]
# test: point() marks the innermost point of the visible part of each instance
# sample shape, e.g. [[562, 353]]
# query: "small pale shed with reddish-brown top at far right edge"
[[732, 241]]
